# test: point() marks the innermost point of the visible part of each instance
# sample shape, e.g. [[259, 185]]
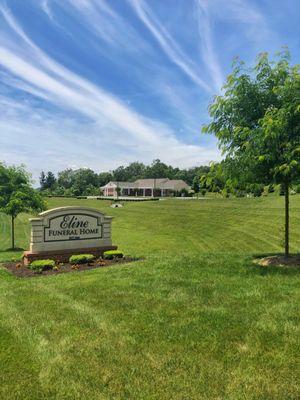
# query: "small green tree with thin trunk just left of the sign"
[[16, 195]]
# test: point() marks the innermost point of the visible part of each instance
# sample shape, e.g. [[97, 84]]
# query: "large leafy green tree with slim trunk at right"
[[257, 123]]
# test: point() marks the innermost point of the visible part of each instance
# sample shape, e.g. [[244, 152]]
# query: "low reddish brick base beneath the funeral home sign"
[[63, 255]]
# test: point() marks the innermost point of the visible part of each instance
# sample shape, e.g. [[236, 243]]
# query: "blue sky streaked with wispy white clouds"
[[101, 83]]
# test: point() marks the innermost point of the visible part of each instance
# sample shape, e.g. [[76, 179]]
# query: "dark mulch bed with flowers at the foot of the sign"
[[21, 271]]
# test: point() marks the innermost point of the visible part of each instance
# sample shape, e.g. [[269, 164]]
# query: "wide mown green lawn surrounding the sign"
[[195, 320]]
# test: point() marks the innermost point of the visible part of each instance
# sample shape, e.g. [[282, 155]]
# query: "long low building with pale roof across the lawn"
[[161, 187]]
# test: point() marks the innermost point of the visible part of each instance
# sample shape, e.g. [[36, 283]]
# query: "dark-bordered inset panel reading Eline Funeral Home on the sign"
[[73, 226]]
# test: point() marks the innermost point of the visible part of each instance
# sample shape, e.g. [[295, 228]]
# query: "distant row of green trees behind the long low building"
[[86, 182]]
